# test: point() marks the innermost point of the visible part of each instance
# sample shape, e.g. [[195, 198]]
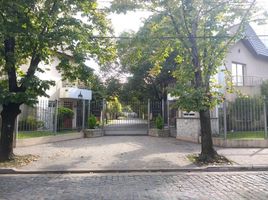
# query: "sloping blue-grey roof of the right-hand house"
[[254, 42]]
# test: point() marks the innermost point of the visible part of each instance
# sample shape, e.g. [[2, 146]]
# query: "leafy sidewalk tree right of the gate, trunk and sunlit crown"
[[203, 31]]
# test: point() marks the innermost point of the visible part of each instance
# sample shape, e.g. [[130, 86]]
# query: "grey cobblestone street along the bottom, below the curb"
[[209, 185]]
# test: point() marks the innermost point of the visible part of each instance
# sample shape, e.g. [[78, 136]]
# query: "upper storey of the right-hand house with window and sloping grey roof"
[[247, 63]]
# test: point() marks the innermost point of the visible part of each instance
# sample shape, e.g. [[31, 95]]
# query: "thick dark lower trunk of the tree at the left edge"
[[8, 114]]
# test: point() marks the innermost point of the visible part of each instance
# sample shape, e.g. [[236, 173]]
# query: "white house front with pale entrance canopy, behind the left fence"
[[71, 95]]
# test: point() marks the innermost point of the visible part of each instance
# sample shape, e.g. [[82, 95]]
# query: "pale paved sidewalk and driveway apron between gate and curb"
[[129, 152]]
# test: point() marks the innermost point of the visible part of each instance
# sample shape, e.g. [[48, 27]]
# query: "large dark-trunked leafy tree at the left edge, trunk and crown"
[[35, 31]]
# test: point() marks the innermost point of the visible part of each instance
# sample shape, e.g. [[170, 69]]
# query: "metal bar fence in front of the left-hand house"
[[55, 117]]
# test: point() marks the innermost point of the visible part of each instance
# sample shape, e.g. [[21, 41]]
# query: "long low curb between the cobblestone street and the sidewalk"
[[125, 171]]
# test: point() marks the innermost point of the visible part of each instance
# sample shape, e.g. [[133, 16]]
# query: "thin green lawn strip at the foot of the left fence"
[[32, 134]]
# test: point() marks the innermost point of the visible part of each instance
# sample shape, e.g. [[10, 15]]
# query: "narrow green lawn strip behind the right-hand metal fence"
[[246, 135]]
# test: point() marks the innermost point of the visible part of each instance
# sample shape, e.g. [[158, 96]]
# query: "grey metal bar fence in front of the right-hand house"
[[244, 118]]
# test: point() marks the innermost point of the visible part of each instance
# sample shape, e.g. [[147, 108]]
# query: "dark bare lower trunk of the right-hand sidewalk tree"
[[207, 150]]
